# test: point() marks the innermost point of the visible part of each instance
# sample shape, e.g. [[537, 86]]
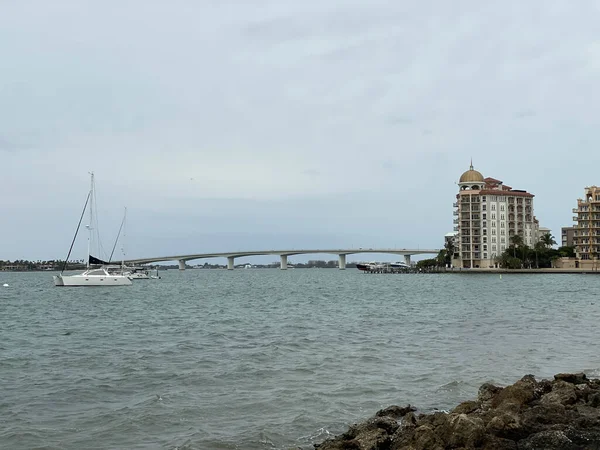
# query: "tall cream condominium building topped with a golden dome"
[[487, 215]]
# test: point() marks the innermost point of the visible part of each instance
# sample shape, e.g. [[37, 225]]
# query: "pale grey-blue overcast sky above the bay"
[[228, 125]]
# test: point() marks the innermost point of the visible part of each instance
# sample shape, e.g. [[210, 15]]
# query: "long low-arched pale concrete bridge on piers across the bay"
[[283, 254]]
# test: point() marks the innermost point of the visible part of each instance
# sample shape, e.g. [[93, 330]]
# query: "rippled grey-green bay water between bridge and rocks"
[[269, 359]]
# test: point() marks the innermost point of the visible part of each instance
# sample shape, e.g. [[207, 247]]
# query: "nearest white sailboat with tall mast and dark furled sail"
[[96, 273]]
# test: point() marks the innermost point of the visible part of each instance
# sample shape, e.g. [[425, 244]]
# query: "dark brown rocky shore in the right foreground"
[[559, 414]]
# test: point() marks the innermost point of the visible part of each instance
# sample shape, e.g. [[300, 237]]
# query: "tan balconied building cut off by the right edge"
[[587, 231]]
